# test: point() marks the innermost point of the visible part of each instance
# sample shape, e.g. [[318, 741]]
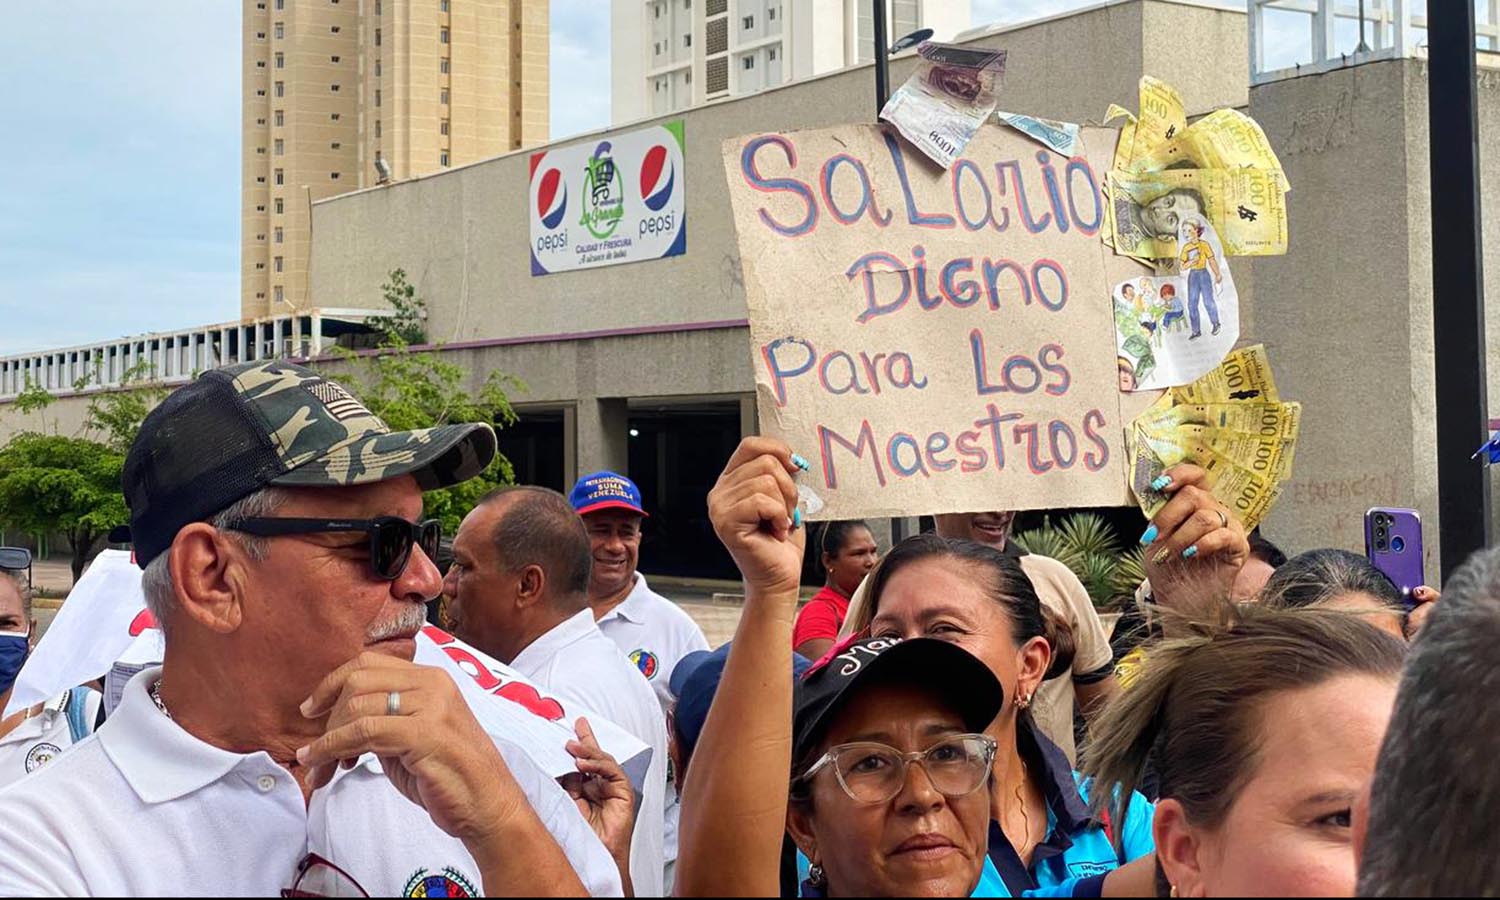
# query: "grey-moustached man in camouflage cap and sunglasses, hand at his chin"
[[289, 743]]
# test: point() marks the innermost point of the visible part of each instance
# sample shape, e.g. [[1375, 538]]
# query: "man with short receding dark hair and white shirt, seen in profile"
[[518, 590]]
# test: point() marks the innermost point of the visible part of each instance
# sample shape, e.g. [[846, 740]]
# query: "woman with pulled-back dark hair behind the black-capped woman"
[[1043, 836]]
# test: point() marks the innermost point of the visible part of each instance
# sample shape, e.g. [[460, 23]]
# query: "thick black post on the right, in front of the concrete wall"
[[1459, 287]]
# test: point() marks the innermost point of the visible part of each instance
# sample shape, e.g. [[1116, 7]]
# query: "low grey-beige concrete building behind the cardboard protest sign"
[[647, 368]]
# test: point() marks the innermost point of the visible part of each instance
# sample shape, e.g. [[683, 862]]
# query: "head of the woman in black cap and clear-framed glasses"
[[890, 767]]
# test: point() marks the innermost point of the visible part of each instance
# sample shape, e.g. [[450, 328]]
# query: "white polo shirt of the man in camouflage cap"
[[146, 809]]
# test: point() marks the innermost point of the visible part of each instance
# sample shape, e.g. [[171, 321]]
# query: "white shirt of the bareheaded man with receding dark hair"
[[578, 664]]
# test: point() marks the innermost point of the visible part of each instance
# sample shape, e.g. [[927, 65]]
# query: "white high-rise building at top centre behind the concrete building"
[[676, 55]]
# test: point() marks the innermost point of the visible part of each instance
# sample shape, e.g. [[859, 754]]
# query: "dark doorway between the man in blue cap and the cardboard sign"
[[676, 457]]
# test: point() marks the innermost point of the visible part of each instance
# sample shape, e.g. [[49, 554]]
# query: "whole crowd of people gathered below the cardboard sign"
[[1255, 725]]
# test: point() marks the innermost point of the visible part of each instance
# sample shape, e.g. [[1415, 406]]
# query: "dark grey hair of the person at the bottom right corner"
[[1432, 808]]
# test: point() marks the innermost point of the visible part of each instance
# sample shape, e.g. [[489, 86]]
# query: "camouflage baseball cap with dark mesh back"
[[256, 425]]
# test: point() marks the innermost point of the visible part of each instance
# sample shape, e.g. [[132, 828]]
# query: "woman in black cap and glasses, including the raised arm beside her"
[[890, 779]]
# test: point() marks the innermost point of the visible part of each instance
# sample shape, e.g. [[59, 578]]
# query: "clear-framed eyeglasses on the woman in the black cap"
[[874, 773]]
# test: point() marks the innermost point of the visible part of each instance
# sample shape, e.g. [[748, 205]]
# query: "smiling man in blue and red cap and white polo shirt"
[[649, 628]]
